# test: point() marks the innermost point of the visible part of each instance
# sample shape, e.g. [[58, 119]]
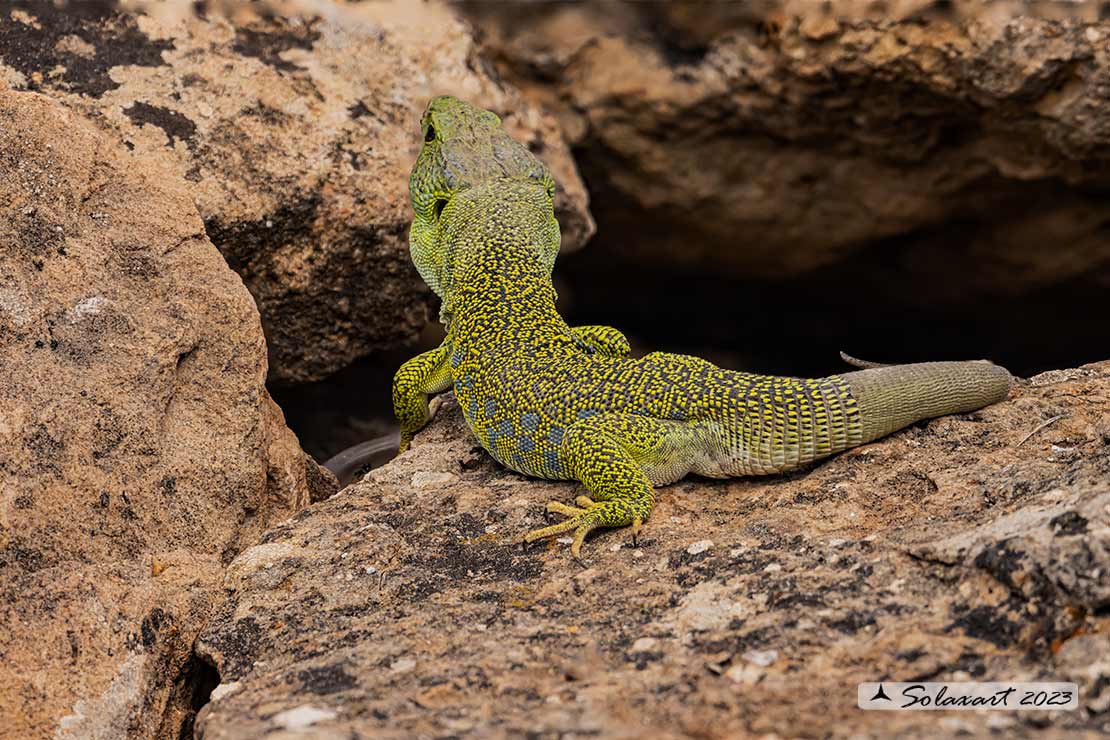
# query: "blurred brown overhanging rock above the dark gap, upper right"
[[743, 139]]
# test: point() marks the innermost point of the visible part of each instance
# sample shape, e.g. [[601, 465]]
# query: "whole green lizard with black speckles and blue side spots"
[[562, 403]]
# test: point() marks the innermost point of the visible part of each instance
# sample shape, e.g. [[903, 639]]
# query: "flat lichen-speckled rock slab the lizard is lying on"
[[970, 548]]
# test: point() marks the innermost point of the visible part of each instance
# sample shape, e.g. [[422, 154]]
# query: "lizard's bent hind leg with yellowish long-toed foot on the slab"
[[612, 455]]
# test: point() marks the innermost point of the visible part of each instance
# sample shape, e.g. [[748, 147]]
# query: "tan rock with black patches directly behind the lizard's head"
[[297, 136]]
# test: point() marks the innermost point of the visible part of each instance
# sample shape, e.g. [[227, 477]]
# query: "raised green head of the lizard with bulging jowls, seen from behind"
[[466, 149]]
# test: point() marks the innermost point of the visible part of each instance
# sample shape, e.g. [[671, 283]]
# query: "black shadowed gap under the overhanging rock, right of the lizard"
[[798, 327]]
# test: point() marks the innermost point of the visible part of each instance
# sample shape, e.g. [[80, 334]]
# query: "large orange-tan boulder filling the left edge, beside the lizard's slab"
[[139, 449]]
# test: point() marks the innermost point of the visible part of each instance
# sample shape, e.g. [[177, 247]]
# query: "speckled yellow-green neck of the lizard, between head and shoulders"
[[504, 239]]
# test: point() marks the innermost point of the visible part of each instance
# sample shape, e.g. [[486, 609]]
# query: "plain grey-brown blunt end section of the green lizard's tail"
[[899, 396]]
